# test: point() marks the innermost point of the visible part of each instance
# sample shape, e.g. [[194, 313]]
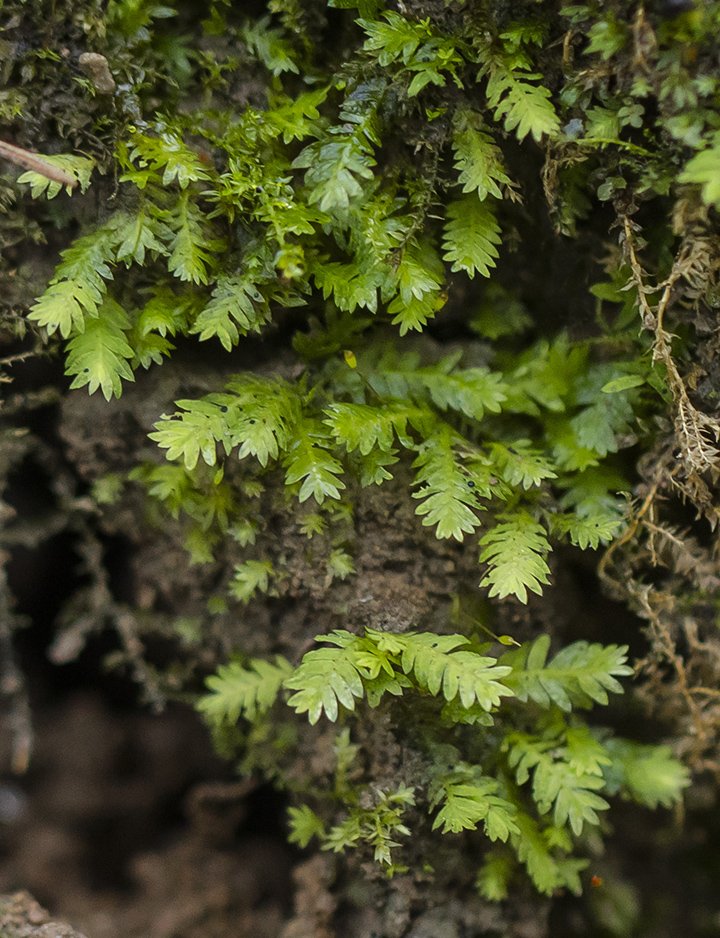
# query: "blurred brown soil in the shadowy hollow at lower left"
[[114, 830]]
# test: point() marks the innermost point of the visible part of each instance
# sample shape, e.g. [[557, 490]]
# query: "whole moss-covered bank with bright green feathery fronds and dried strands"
[[438, 267]]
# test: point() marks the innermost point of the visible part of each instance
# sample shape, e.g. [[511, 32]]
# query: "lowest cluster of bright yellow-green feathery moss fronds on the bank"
[[560, 773]]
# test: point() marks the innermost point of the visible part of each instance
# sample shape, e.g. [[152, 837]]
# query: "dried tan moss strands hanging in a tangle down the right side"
[[695, 453]]
